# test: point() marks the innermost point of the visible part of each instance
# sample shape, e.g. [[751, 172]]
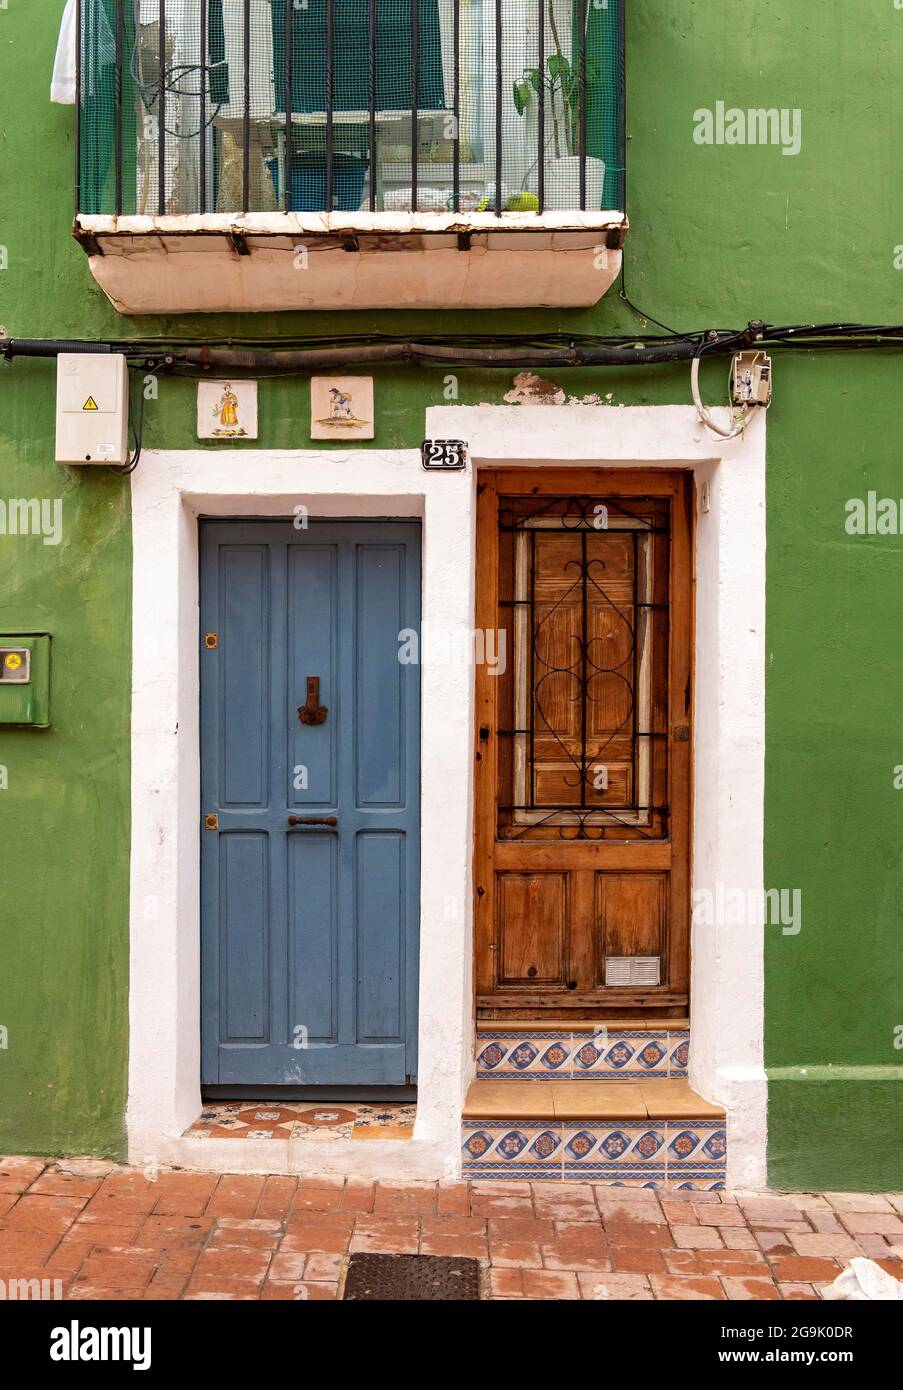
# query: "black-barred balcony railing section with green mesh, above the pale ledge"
[[227, 106]]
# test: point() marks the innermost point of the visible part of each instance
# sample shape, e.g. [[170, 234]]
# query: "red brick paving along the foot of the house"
[[110, 1232]]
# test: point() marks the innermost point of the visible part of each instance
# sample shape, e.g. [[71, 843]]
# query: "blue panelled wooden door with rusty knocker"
[[310, 879]]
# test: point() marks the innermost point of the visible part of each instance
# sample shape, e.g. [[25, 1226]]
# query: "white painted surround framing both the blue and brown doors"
[[172, 491]]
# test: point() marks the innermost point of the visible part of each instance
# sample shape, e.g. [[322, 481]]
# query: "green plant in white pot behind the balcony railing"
[[561, 83]]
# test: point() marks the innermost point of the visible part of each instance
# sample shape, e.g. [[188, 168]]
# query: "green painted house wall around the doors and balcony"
[[719, 236]]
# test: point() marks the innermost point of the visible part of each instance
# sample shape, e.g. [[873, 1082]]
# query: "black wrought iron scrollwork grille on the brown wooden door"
[[584, 750]]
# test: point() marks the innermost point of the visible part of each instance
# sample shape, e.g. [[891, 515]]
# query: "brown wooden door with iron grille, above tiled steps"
[[584, 744]]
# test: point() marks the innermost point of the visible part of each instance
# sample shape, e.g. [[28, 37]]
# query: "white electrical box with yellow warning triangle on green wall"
[[92, 408]]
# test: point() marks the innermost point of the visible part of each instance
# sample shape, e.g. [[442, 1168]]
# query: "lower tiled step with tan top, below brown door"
[[658, 1134]]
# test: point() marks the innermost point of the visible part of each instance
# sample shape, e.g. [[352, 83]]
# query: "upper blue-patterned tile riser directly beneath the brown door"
[[606, 1054]]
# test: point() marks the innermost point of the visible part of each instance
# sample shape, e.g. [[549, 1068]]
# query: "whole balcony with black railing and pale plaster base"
[[277, 155]]
